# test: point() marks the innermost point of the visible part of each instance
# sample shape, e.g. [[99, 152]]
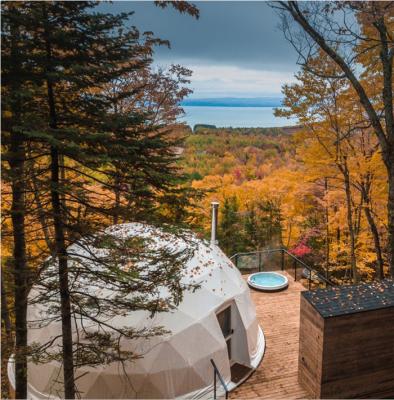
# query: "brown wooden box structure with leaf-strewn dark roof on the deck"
[[347, 341]]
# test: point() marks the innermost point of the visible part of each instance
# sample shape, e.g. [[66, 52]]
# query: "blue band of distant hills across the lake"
[[234, 102]]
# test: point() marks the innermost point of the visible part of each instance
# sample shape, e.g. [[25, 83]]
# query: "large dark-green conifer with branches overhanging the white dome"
[[82, 151]]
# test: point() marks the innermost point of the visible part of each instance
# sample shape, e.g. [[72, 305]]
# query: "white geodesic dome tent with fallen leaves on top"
[[216, 321]]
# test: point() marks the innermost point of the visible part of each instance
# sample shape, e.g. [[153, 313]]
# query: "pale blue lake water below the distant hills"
[[236, 117]]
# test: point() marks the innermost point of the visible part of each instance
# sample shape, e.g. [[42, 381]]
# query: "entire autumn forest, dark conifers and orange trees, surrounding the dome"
[[91, 138]]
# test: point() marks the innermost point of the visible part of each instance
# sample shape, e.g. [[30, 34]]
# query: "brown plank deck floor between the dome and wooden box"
[[276, 377]]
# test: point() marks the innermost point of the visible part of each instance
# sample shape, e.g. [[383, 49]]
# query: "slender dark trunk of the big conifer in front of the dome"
[[60, 242]]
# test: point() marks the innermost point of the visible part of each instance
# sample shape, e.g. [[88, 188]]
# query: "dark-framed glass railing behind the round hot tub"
[[274, 259]]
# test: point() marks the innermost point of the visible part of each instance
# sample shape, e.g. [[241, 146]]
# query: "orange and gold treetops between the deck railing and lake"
[[284, 190]]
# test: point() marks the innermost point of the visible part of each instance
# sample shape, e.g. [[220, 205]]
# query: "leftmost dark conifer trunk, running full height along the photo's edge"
[[14, 99]]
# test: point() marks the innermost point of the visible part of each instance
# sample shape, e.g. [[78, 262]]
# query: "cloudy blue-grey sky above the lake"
[[234, 48]]
